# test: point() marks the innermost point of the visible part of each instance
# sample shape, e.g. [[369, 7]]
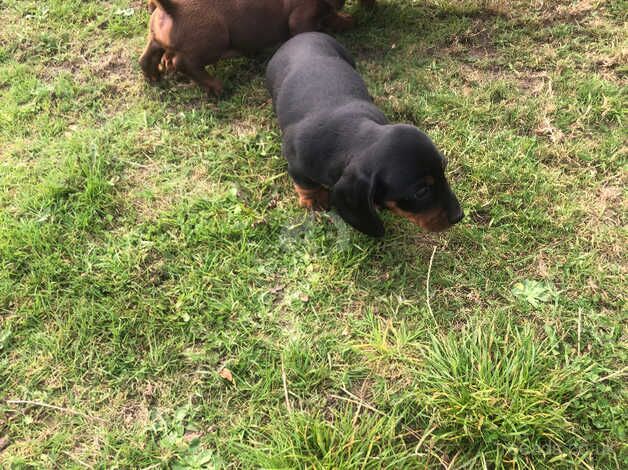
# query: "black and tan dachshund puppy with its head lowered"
[[342, 151]]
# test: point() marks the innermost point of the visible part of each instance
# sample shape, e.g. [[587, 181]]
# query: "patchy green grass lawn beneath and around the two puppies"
[[164, 302]]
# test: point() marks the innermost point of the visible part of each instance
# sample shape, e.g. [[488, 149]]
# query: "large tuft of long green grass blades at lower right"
[[498, 397]]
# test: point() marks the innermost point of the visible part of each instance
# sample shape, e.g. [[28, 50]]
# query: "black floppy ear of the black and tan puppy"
[[353, 197]]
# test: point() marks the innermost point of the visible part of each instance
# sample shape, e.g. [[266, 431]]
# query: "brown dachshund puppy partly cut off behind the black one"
[[188, 35]]
